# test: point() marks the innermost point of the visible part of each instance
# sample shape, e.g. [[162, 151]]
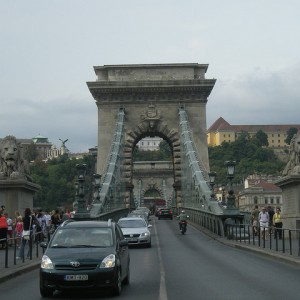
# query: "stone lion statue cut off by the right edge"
[[293, 165]]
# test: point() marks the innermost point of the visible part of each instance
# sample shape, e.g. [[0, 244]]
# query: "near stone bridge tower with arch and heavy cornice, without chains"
[[151, 95]]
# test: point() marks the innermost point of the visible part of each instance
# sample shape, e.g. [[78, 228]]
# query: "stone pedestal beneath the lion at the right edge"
[[290, 186]]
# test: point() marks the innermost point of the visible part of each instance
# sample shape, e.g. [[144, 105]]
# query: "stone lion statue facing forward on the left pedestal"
[[12, 164]]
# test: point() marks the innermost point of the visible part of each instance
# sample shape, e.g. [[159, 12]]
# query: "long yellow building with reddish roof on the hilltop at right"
[[221, 131]]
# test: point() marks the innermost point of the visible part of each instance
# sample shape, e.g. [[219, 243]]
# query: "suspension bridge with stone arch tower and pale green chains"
[[164, 100]]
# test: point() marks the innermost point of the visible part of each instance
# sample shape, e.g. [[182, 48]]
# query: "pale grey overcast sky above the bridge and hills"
[[48, 50]]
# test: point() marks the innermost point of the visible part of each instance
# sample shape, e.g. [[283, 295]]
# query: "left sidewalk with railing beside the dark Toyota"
[[17, 267]]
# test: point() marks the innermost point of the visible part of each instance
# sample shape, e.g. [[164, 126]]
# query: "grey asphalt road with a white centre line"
[[178, 267]]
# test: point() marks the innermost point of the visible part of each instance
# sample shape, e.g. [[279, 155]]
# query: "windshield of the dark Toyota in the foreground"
[[82, 237]]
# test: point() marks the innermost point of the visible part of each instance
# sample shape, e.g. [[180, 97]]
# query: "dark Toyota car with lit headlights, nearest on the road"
[[85, 254]]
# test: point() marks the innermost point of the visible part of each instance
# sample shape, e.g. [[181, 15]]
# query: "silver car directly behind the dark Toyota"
[[136, 231]]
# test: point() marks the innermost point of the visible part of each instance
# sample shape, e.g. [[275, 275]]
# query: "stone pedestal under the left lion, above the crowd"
[[17, 194]]
